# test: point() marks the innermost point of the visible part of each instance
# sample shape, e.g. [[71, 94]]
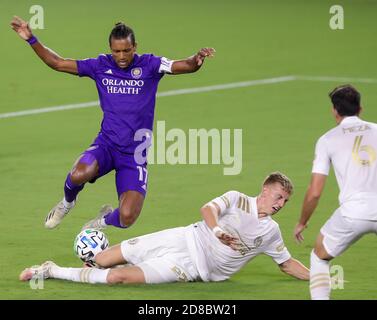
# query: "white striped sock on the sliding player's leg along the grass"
[[89, 275]]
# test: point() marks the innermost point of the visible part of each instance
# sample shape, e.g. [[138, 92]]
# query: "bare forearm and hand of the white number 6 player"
[[310, 203]]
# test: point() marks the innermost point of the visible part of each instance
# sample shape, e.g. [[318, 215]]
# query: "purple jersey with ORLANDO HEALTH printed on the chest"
[[127, 96]]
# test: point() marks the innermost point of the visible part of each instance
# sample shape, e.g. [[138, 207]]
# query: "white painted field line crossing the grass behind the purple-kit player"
[[225, 86]]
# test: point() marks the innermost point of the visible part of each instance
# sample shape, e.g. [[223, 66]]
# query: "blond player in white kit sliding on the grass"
[[236, 228]]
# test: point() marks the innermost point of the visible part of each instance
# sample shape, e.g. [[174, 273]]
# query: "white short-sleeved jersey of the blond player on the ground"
[[238, 216]]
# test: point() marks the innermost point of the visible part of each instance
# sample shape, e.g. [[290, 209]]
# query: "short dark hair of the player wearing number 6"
[[346, 100]]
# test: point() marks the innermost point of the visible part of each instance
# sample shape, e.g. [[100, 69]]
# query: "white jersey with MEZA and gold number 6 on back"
[[351, 147]]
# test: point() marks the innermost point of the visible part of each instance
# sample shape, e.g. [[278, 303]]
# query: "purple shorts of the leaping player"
[[129, 175]]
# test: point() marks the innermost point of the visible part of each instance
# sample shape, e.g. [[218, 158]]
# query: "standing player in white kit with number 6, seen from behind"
[[351, 147]]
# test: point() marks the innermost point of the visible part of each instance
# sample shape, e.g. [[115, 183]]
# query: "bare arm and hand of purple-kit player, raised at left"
[[49, 57]]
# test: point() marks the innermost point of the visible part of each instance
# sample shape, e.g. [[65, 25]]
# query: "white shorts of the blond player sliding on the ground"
[[163, 256]]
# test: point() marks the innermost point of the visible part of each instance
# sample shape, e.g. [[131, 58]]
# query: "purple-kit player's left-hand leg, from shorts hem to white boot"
[[85, 169]]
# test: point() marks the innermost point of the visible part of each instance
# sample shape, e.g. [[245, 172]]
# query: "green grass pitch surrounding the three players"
[[280, 122]]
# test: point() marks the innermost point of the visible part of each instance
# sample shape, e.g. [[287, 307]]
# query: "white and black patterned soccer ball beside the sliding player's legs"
[[88, 243]]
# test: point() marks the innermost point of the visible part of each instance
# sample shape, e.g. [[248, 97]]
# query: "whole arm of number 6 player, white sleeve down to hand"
[[321, 168]]
